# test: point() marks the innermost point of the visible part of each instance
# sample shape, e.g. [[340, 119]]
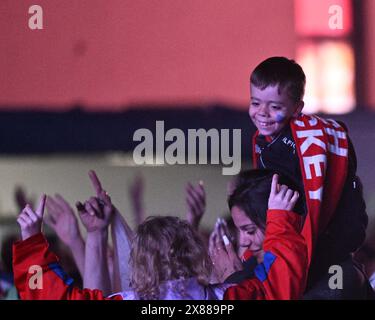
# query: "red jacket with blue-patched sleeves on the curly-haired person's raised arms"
[[276, 278]]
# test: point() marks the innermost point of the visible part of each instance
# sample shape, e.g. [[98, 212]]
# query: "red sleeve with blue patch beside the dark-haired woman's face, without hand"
[[282, 275]]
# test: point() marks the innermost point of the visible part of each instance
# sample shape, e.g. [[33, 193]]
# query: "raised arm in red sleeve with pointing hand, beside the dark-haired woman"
[[284, 246]]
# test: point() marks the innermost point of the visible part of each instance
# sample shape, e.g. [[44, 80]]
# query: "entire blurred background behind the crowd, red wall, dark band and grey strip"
[[101, 69]]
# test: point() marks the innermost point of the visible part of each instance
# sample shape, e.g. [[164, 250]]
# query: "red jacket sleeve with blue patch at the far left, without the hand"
[[38, 275]]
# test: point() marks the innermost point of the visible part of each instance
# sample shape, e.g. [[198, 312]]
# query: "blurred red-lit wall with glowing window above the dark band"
[[112, 54]]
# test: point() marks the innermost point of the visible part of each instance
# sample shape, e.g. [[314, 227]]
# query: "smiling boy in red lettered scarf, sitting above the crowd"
[[318, 156]]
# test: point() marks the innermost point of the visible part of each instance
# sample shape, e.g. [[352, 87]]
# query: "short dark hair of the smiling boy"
[[281, 71]]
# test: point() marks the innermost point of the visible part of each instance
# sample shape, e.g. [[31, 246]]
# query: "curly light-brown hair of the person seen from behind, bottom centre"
[[166, 248]]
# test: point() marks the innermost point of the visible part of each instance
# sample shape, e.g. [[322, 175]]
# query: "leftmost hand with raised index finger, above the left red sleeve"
[[30, 221]]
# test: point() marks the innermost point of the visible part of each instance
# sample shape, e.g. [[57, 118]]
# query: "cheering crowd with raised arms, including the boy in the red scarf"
[[296, 214]]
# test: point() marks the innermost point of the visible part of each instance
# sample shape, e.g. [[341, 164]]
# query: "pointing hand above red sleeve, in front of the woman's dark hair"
[[281, 197]]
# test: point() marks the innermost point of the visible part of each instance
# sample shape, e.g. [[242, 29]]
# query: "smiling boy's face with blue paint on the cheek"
[[271, 111]]
